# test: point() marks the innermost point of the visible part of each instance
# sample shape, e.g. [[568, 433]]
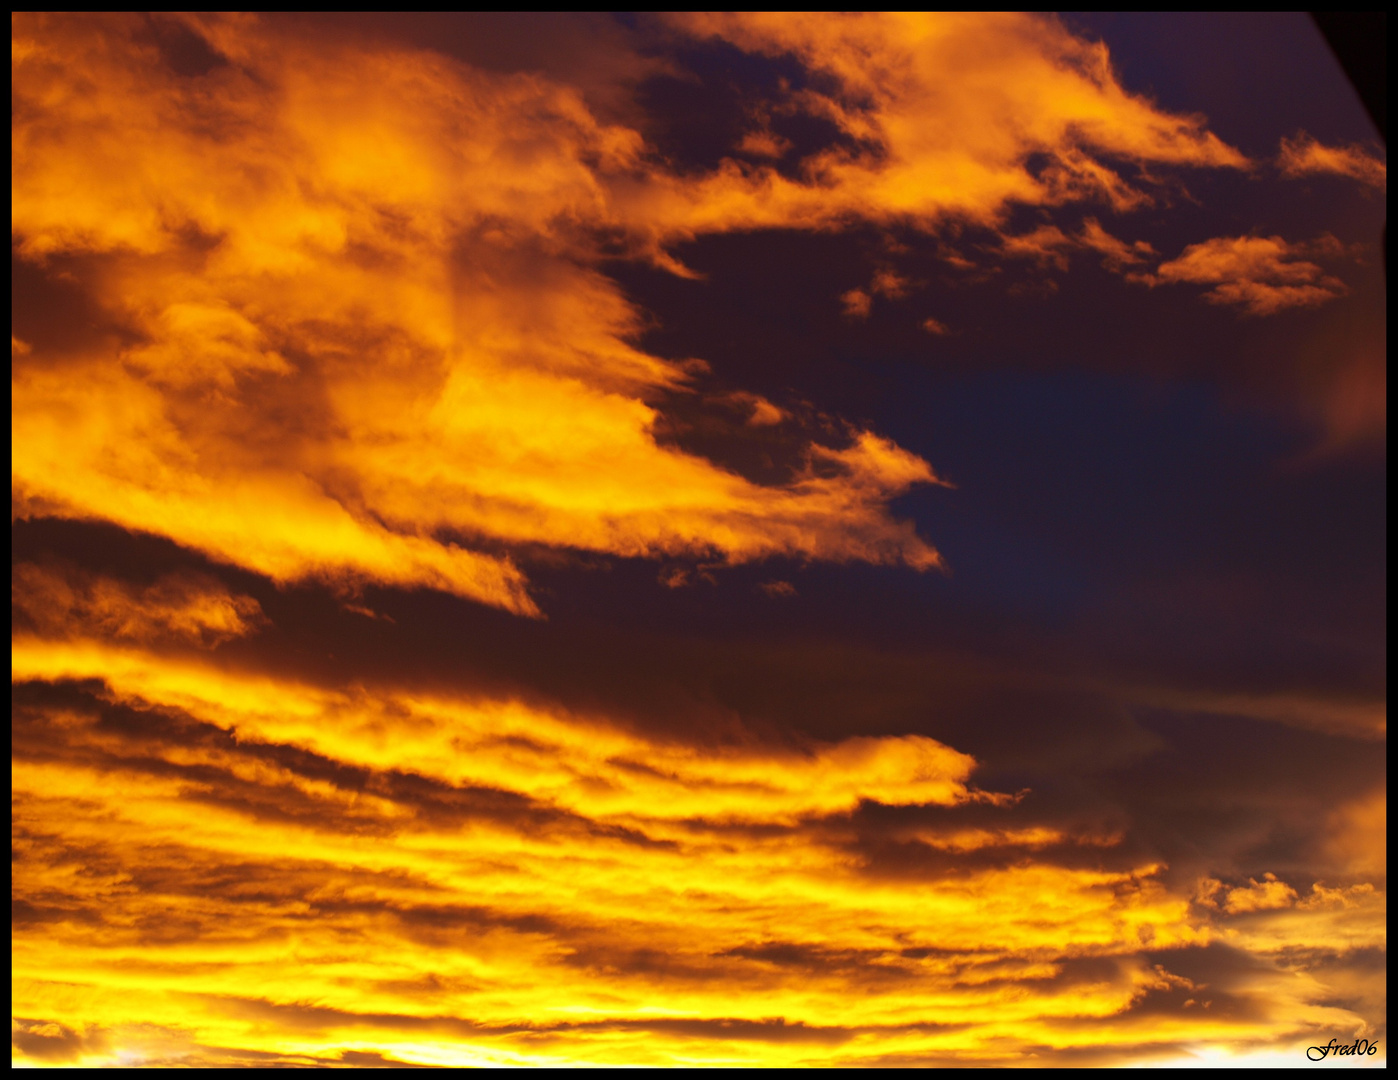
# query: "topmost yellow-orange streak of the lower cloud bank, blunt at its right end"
[[571, 764]]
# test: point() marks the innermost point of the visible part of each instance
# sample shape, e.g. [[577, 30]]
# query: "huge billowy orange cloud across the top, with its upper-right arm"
[[360, 304]]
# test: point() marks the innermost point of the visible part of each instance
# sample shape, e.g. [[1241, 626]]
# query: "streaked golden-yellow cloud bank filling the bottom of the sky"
[[482, 881]]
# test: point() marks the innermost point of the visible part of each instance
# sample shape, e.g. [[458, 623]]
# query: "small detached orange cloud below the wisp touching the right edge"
[[1262, 275]]
